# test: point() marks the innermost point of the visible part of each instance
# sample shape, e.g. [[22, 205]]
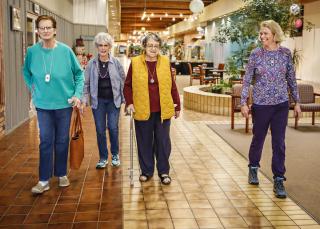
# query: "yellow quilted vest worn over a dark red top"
[[140, 88]]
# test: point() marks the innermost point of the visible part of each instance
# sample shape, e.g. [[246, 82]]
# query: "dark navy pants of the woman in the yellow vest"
[[153, 140]]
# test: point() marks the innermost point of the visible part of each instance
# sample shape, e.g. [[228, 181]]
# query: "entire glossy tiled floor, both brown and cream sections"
[[209, 187]]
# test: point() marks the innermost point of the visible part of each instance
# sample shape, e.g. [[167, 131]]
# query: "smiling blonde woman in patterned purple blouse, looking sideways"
[[272, 69]]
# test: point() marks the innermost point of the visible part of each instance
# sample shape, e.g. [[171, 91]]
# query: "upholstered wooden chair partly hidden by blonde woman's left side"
[[235, 103]]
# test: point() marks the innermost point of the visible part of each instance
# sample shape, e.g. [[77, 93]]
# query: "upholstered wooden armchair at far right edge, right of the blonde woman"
[[307, 101]]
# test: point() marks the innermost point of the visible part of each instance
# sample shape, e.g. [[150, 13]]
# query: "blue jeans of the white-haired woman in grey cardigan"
[[106, 110]]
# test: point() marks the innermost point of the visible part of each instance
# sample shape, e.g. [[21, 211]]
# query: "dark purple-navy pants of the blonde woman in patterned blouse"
[[275, 116]]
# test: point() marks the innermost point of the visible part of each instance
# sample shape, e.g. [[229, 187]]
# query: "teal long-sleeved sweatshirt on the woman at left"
[[66, 76]]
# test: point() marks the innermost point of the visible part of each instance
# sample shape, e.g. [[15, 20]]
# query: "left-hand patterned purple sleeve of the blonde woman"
[[250, 68]]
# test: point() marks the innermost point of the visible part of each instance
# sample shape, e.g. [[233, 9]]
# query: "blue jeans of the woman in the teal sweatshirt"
[[54, 128]]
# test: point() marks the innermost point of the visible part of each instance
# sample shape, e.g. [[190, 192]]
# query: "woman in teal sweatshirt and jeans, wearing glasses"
[[54, 76]]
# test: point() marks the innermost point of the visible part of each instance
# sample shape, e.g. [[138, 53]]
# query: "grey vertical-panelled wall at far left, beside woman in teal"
[[16, 94]]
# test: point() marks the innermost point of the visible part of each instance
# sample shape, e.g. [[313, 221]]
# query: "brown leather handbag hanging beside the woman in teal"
[[76, 141]]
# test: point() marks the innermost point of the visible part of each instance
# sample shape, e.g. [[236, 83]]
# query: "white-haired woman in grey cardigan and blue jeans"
[[104, 80]]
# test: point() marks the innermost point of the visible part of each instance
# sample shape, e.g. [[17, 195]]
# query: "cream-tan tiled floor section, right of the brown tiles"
[[209, 187]]
